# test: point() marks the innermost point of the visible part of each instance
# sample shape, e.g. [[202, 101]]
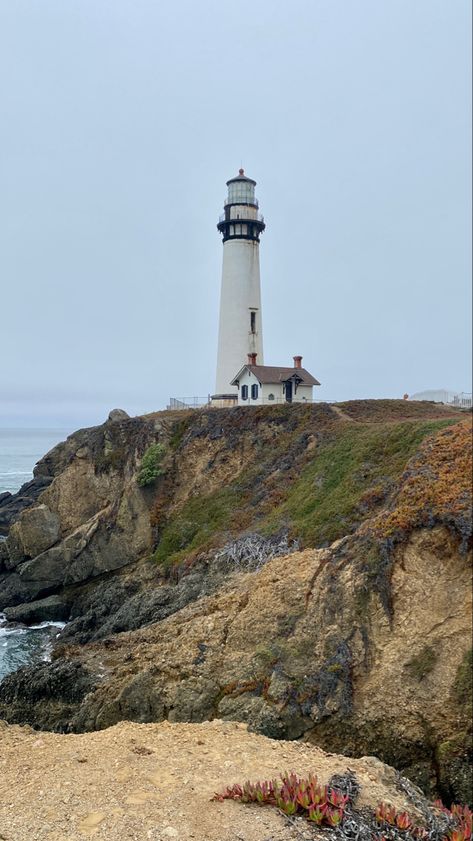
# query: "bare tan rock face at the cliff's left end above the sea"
[[92, 517]]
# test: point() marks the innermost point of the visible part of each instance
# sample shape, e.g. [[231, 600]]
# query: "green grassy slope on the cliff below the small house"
[[348, 474]]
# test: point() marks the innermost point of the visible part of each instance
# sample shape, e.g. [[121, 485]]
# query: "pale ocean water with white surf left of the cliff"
[[20, 449]]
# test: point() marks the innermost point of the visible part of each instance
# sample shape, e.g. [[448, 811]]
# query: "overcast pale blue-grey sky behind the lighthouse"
[[121, 120]]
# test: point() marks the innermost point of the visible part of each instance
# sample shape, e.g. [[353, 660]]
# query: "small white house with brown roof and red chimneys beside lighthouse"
[[261, 384]]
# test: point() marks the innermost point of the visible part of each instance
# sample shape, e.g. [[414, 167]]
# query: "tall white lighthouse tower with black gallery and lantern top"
[[240, 327]]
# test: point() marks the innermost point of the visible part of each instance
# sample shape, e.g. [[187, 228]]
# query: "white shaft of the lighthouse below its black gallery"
[[240, 294]]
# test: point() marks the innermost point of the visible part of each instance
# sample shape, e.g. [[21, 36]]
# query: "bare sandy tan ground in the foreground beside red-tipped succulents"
[[153, 782]]
